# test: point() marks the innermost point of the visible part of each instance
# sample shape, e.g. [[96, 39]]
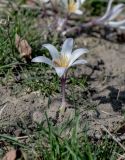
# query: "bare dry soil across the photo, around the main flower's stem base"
[[105, 102]]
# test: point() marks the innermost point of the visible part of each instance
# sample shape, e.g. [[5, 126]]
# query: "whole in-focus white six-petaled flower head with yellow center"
[[61, 61]]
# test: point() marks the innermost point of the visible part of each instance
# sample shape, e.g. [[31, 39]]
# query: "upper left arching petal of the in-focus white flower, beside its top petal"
[[52, 49]]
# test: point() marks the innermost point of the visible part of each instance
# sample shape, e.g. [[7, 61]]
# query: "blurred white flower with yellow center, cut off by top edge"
[[73, 6]]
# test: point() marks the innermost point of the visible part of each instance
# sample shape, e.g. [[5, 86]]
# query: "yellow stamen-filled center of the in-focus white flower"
[[62, 61]]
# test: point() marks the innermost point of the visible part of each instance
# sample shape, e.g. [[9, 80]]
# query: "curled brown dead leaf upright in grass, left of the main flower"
[[23, 47]]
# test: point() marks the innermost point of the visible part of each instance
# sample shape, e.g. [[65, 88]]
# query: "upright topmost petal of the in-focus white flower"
[[67, 47]]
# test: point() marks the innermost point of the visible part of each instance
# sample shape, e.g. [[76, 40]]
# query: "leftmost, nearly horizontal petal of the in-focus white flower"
[[42, 59]]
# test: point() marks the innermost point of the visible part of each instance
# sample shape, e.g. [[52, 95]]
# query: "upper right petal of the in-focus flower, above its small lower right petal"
[[76, 54]]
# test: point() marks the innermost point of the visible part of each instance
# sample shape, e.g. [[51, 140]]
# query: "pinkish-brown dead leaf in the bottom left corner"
[[11, 155]]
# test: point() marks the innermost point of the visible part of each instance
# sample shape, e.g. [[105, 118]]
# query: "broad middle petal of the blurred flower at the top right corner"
[[116, 11]]
